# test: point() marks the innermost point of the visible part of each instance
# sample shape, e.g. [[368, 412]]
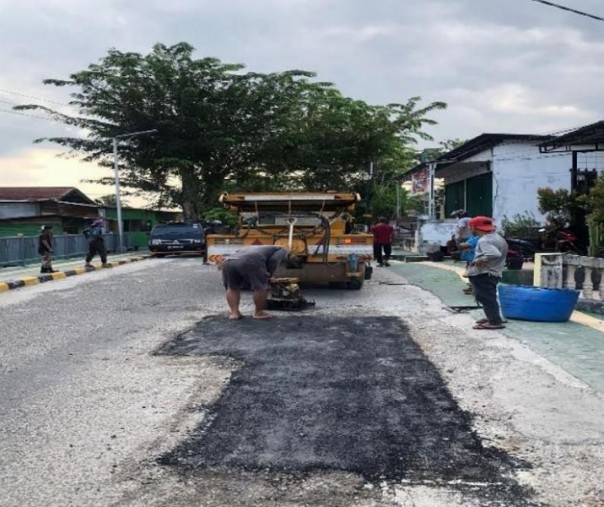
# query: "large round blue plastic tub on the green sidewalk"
[[537, 303]]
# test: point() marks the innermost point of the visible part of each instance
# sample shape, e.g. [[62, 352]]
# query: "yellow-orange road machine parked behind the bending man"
[[315, 226]]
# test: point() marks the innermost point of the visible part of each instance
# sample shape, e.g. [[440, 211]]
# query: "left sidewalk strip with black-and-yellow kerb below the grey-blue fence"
[[21, 276]]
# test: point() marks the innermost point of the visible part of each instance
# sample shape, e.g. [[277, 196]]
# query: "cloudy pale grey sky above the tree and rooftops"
[[502, 66]]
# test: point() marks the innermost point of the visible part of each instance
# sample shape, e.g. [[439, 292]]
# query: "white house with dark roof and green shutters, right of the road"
[[498, 175]]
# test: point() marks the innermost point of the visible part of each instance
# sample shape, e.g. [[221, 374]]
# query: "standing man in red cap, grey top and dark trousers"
[[485, 271]]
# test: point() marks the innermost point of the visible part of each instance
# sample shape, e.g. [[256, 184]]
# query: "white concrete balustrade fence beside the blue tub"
[[557, 270]]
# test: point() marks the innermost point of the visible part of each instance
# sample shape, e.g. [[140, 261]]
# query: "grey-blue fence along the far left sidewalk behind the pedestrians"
[[22, 250]]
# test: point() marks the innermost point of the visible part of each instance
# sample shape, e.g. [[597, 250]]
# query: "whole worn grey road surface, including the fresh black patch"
[[130, 387]]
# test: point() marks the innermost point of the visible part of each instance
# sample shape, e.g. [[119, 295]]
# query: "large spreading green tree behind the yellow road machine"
[[218, 127]]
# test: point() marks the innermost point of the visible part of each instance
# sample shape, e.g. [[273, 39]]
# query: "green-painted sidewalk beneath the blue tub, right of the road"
[[576, 346]]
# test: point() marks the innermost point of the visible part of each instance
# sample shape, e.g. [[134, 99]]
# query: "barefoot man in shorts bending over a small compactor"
[[251, 267]]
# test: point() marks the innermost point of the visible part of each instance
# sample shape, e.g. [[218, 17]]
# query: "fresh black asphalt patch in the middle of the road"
[[335, 393]]
